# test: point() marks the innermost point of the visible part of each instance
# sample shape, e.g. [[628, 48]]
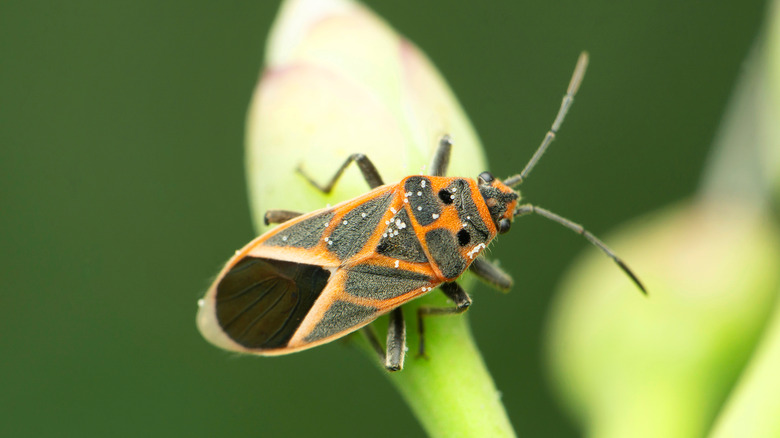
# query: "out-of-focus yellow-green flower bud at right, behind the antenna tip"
[[662, 365]]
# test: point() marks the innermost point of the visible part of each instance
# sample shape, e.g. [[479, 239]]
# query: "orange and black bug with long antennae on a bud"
[[322, 275]]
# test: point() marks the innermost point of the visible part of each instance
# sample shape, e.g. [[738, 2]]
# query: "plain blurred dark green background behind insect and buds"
[[122, 192]]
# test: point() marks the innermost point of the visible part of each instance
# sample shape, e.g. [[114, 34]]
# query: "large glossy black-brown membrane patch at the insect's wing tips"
[[261, 302]]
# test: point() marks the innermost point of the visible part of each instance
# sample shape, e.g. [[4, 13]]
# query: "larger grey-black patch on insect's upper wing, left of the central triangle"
[[355, 228]]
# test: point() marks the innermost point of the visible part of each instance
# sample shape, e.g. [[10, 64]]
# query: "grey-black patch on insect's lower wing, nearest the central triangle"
[[379, 282]]
